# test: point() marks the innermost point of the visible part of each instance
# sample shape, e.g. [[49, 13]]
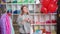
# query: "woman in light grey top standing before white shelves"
[[24, 21]]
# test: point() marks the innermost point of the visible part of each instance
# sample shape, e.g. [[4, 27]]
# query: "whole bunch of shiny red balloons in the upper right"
[[49, 6]]
